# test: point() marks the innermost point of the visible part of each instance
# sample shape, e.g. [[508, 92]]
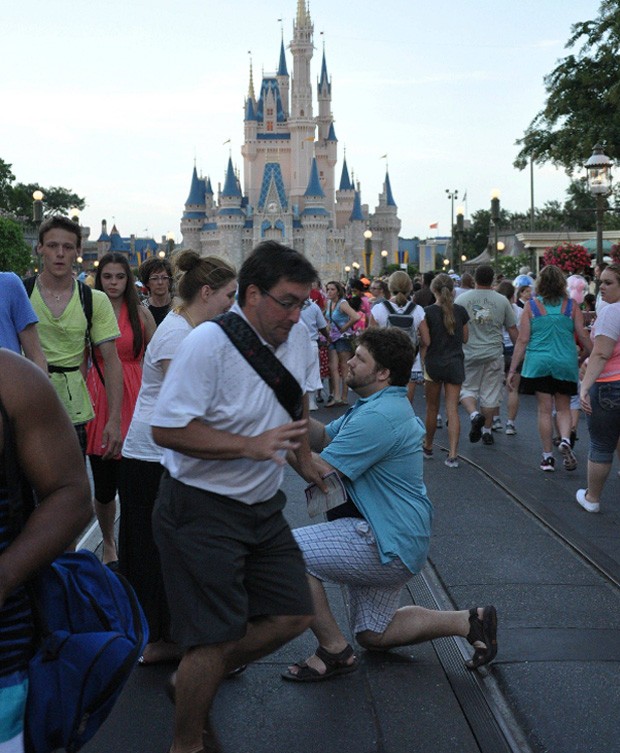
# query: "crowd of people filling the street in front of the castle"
[[189, 392]]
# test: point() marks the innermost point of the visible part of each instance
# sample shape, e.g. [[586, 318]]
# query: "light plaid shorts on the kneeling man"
[[344, 551]]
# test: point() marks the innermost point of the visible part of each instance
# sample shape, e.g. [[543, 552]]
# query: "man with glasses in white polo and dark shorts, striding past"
[[234, 576]]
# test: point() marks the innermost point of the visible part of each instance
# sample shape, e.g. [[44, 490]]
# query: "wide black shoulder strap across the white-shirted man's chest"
[[264, 362]]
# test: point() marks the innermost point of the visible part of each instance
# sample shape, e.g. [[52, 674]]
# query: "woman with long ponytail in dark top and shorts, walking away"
[[445, 325]]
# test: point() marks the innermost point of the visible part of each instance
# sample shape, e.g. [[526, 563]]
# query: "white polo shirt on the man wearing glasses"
[[211, 381]]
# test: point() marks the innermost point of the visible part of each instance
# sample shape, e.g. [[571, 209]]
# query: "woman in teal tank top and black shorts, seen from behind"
[[550, 371]]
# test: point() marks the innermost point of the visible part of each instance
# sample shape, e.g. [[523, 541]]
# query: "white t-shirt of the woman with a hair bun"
[[139, 444]]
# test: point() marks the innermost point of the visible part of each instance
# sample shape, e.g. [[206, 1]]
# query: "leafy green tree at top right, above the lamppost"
[[583, 98]]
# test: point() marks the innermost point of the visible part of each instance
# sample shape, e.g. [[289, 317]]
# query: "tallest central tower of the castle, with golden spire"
[[301, 121]]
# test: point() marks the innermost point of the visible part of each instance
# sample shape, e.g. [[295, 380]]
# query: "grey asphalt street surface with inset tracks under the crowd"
[[555, 685]]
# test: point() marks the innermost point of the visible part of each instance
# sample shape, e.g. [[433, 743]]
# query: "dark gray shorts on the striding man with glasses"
[[225, 563]]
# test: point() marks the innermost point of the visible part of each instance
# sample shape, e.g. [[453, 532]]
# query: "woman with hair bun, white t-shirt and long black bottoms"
[[206, 287]]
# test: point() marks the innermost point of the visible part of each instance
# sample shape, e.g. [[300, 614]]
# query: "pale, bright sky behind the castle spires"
[[117, 99]]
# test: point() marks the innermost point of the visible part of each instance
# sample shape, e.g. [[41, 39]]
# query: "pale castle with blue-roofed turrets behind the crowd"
[[289, 190]]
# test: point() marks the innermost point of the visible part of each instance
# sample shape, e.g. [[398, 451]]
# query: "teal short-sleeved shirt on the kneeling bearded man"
[[377, 445]]
